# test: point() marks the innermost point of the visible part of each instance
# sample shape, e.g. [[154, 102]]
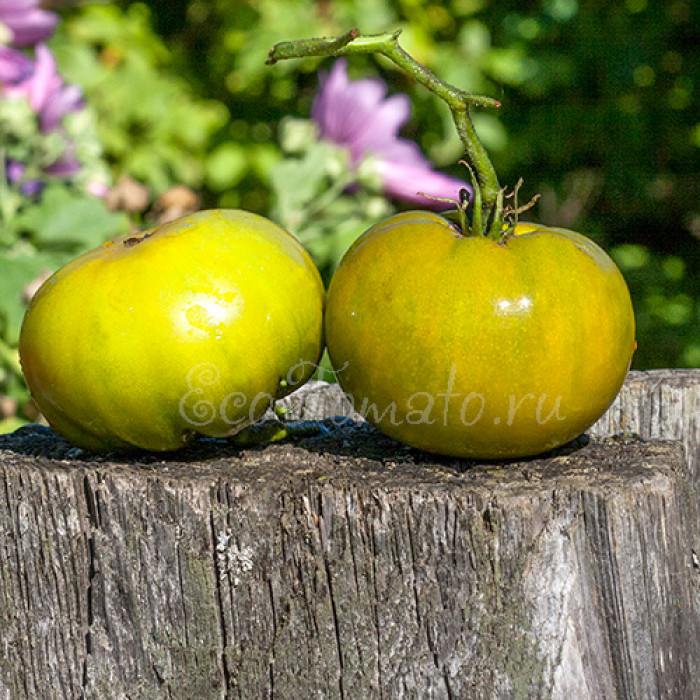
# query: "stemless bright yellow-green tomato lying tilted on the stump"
[[192, 327]]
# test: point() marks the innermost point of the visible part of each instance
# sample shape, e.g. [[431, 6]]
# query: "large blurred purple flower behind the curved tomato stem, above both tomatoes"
[[358, 116]]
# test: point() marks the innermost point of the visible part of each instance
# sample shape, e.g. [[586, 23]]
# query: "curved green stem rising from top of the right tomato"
[[486, 187]]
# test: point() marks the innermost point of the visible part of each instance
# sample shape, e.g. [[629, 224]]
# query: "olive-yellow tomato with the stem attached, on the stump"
[[468, 347]]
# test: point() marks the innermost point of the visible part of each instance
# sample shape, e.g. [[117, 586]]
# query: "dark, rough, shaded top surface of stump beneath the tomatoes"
[[355, 453]]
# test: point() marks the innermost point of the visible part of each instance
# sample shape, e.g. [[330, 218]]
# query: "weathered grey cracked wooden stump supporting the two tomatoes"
[[345, 565]]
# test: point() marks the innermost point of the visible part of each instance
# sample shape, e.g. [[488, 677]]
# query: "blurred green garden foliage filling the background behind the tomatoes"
[[599, 115]]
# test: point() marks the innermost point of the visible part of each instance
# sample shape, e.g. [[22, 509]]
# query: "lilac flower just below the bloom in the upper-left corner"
[[46, 92]]
